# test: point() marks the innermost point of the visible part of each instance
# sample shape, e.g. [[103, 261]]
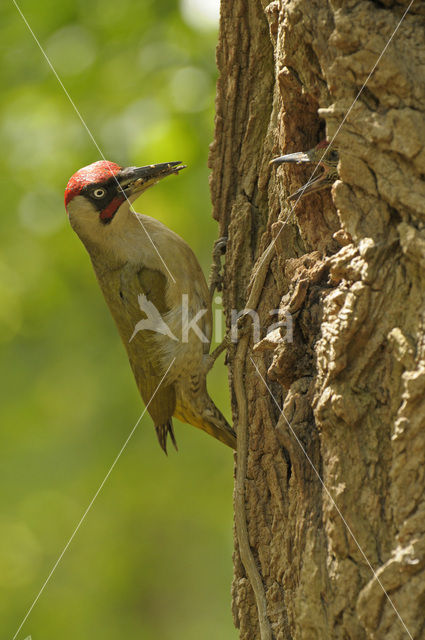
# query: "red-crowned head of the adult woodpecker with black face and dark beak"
[[96, 195]]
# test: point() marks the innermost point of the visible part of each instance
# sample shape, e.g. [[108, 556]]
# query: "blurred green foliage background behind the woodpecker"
[[153, 558]]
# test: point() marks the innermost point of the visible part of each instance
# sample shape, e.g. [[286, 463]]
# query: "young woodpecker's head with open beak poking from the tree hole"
[[328, 160]]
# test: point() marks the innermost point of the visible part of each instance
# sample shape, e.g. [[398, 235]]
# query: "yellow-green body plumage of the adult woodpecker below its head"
[[135, 256]]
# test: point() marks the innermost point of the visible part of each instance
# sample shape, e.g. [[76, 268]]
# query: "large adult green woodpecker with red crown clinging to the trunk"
[[156, 292]]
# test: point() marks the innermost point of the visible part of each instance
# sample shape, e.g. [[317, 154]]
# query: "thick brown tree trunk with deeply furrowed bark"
[[330, 471]]
